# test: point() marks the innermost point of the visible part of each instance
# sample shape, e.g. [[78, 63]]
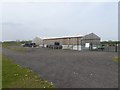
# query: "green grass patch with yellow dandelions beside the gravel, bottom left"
[[15, 76]]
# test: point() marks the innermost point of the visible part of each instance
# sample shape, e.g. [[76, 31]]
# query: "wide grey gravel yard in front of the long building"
[[70, 69]]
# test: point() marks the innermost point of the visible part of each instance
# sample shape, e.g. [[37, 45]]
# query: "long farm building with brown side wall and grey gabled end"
[[75, 42]]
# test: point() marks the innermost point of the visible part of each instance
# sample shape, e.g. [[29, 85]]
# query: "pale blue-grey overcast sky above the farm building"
[[25, 20]]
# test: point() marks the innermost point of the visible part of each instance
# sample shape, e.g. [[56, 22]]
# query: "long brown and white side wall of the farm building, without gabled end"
[[66, 42]]
